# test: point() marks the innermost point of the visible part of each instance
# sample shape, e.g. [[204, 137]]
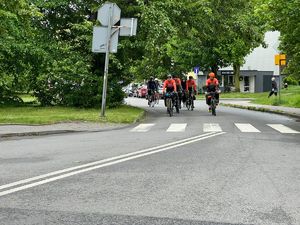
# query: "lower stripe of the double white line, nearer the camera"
[[106, 164]]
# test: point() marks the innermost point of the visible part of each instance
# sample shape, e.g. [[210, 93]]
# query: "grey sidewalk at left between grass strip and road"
[[38, 130]]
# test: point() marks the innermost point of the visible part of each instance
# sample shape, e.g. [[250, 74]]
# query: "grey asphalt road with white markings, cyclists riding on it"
[[192, 168]]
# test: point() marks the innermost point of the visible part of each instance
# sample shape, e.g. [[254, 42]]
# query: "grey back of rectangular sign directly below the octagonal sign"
[[100, 40]]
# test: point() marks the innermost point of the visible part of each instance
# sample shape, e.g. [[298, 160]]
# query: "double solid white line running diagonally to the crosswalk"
[[106, 162]]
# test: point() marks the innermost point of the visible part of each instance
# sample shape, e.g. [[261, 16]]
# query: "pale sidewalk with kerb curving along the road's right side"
[[246, 104]]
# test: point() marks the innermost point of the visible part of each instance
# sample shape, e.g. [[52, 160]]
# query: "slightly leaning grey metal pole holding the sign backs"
[[106, 63]]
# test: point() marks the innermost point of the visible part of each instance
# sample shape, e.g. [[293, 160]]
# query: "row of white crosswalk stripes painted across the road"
[[215, 127]]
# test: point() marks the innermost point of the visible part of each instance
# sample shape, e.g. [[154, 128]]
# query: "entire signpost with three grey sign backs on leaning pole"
[[105, 38]]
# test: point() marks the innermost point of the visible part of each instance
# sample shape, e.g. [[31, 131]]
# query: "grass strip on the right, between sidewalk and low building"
[[289, 97]]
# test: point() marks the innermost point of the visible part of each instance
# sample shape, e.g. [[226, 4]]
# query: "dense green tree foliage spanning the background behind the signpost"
[[45, 45]]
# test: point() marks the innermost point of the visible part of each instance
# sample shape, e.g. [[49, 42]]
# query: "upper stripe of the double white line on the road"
[[97, 162]]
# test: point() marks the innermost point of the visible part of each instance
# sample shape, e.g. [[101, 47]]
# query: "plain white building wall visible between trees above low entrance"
[[262, 59]]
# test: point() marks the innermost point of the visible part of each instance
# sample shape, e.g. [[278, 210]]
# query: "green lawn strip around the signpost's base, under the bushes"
[[50, 115]]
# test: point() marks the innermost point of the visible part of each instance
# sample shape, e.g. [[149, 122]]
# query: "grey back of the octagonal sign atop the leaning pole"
[[104, 13]]
